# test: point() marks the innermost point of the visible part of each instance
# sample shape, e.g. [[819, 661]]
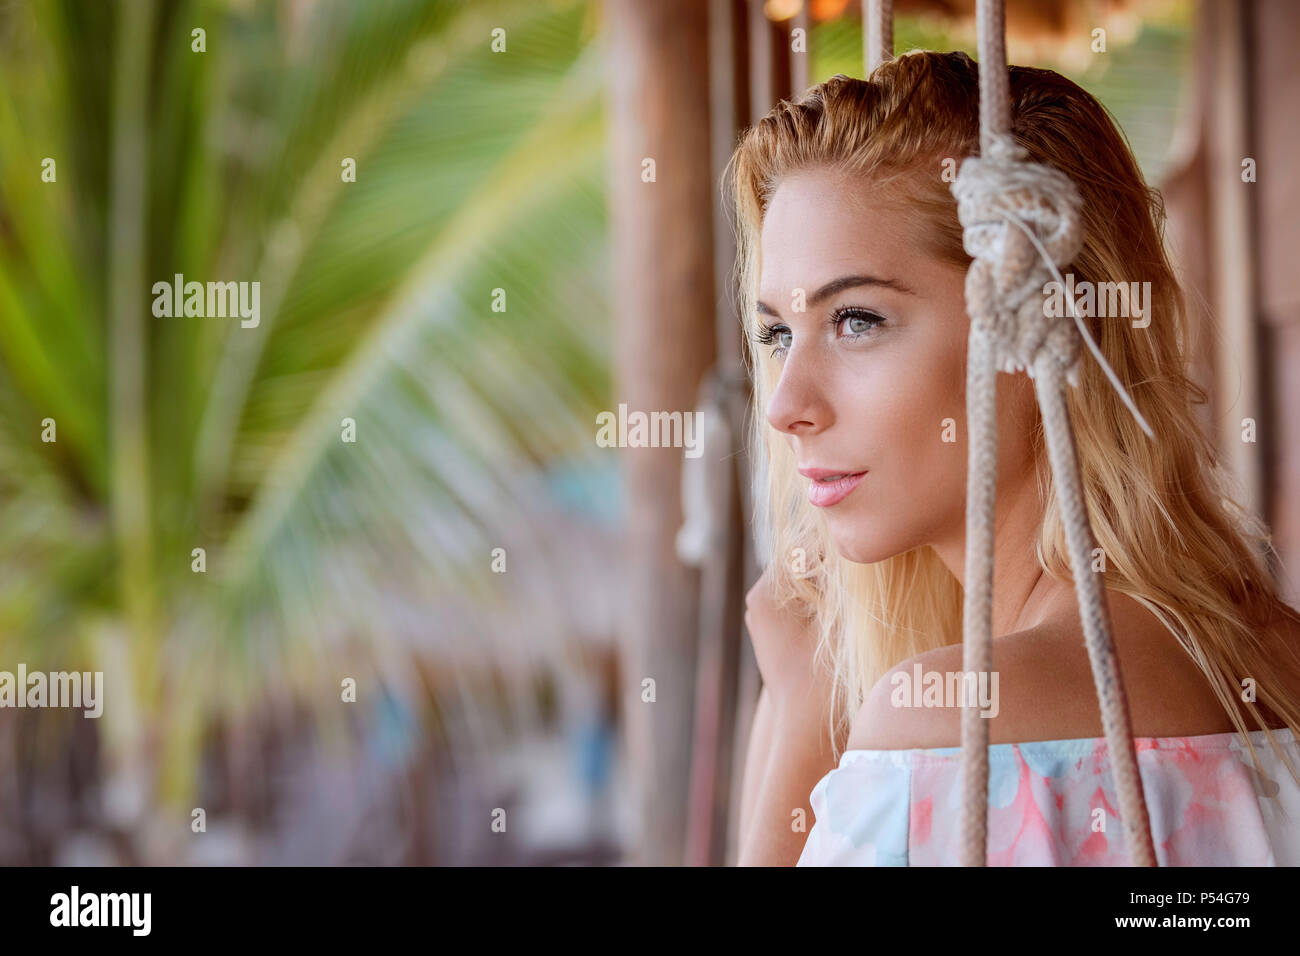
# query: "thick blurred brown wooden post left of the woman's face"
[[664, 289]]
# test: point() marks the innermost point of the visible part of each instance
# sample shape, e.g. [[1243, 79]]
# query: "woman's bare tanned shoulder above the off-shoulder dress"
[[1042, 689]]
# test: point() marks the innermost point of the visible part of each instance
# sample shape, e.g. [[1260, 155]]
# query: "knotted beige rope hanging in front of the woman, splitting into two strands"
[[1011, 331]]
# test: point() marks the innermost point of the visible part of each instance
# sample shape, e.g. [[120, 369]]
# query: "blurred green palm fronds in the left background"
[[476, 172]]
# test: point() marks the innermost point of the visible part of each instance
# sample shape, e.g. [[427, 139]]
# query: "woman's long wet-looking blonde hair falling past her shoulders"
[[1175, 539]]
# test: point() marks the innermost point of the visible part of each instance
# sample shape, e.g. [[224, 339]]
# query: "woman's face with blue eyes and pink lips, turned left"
[[873, 370]]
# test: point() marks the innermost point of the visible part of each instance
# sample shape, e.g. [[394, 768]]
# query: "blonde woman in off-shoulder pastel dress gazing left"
[[852, 274]]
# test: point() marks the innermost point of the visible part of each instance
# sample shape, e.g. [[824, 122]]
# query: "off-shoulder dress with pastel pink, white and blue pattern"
[[1054, 804]]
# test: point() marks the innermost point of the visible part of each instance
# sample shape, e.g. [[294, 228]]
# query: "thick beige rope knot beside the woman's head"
[[1013, 213]]
